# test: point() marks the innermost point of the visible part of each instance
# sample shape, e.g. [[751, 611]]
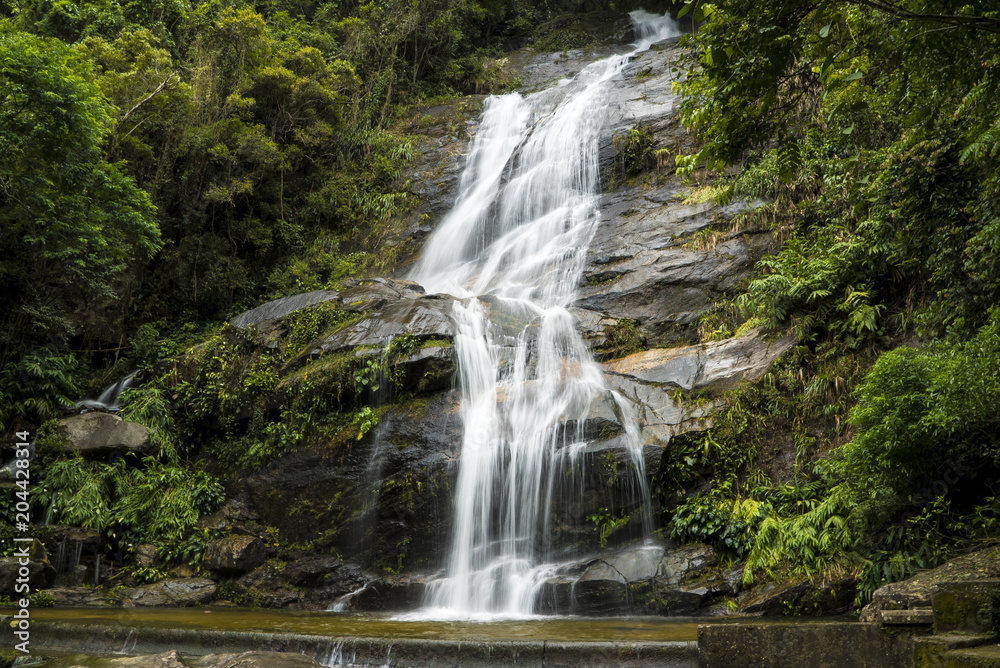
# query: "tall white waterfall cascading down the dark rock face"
[[512, 249]]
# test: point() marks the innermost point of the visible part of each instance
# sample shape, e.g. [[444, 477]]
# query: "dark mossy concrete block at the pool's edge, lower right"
[[798, 644]]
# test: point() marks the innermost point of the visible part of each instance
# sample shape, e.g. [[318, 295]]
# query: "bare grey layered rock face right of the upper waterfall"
[[640, 265]]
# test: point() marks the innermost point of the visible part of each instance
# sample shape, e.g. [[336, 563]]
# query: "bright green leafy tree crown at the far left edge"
[[72, 220]]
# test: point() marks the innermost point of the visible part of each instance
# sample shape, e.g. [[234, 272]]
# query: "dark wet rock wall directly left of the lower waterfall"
[[382, 500]]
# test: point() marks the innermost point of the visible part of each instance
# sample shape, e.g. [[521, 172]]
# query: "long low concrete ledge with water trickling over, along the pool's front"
[[104, 639]]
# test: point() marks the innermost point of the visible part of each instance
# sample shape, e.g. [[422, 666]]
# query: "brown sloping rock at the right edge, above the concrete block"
[[918, 591]]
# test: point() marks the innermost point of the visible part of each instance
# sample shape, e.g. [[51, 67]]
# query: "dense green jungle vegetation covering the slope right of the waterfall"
[[872, 131]]
